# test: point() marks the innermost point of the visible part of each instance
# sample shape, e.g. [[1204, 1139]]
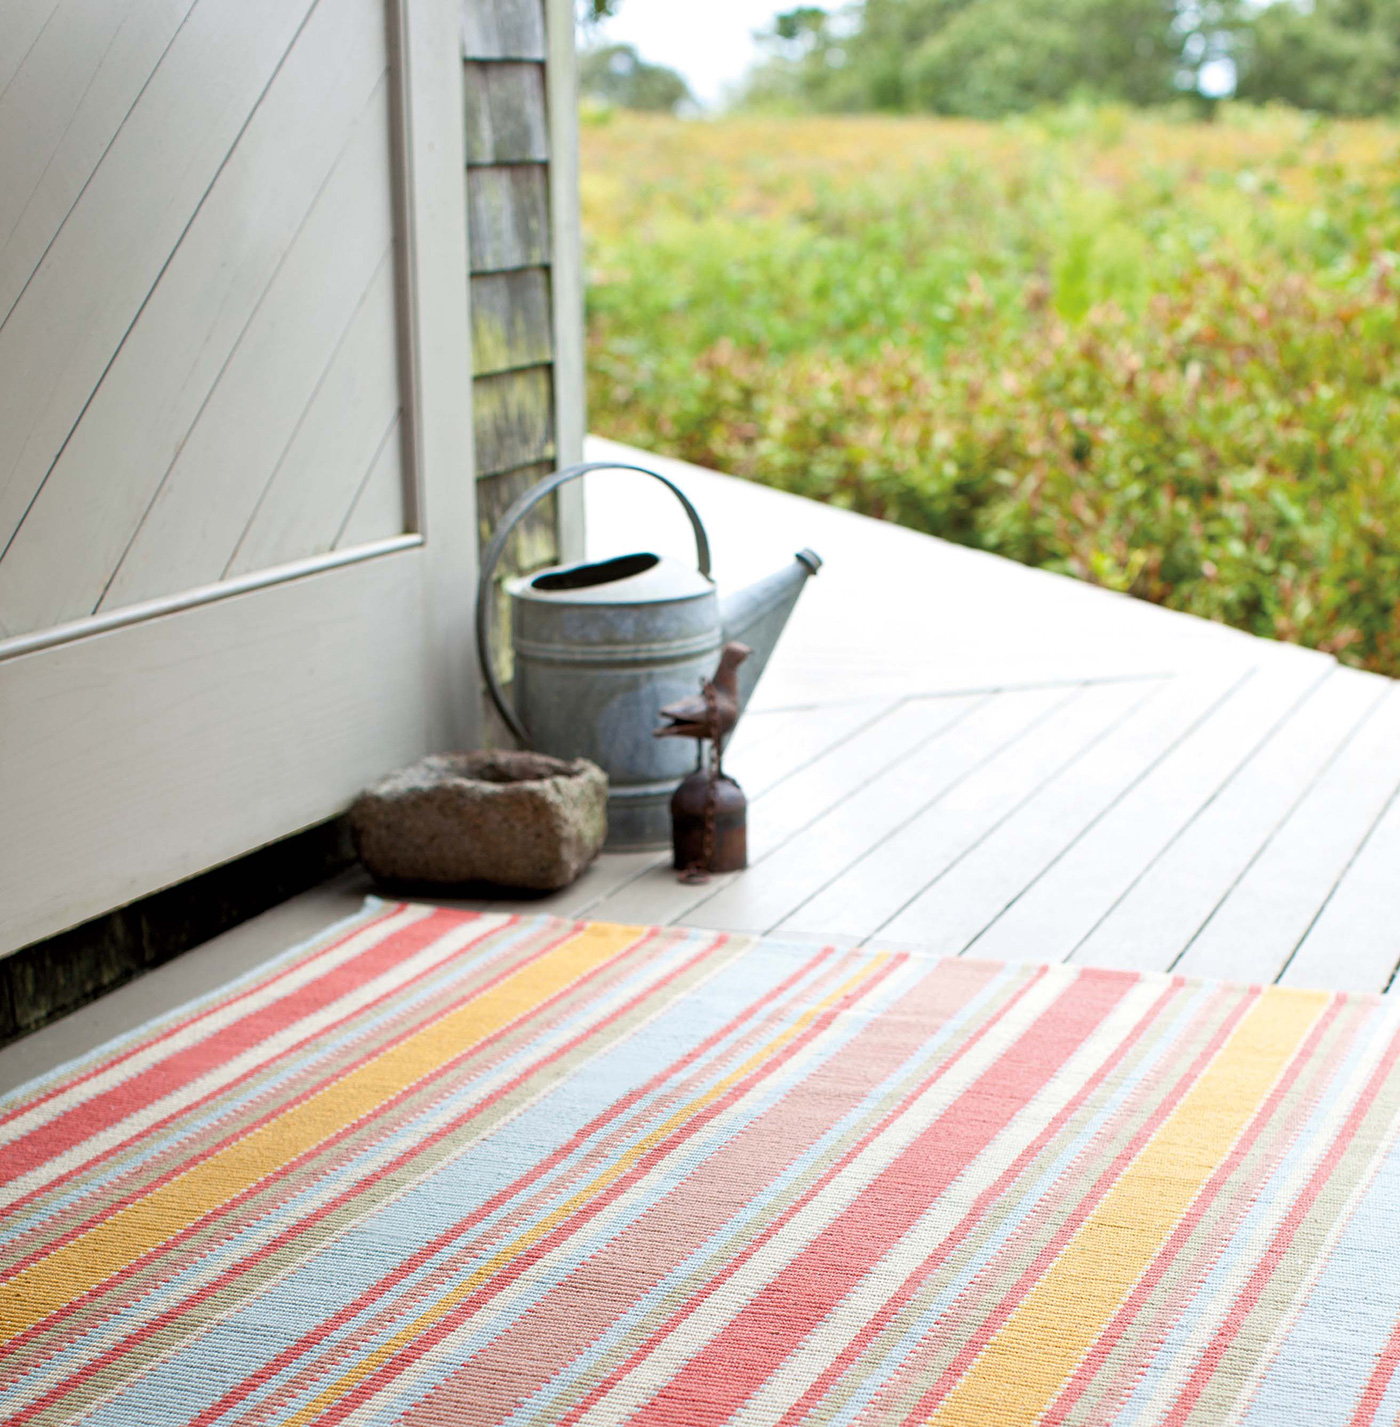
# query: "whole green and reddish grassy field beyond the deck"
[[1154, 353]]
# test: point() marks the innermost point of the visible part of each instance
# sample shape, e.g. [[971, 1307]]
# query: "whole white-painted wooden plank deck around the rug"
[[955, 753]]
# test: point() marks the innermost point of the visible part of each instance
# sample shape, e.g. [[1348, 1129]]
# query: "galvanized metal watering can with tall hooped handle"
[[602, 647]]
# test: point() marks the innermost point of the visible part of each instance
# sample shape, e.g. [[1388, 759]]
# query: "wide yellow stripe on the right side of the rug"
[[1027, 1365]]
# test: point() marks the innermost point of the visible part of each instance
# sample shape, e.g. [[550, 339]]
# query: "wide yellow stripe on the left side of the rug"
[[83, 1264]]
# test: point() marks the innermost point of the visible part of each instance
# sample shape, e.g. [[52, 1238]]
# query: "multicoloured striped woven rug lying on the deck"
[[440, 1168]]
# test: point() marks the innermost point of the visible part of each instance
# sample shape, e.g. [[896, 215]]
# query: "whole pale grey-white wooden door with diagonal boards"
[[238, 536]]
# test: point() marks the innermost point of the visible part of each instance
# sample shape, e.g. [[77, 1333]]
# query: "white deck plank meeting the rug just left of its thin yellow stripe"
[[894, 874]]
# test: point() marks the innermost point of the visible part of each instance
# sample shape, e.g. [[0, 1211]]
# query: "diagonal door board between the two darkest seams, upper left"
[[111, 252]]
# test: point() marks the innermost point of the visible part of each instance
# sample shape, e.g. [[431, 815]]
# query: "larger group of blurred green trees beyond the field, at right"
[[991, 58]]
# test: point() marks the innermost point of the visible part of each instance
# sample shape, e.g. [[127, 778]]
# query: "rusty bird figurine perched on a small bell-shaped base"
[[709, 811]]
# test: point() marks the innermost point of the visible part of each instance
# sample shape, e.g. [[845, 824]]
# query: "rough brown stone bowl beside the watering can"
[[509, 818]]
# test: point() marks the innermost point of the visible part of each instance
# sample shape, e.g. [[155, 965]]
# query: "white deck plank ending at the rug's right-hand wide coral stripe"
[[1160, 915]]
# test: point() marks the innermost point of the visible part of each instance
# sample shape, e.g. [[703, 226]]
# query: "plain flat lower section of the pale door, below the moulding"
[[142, 756]]
